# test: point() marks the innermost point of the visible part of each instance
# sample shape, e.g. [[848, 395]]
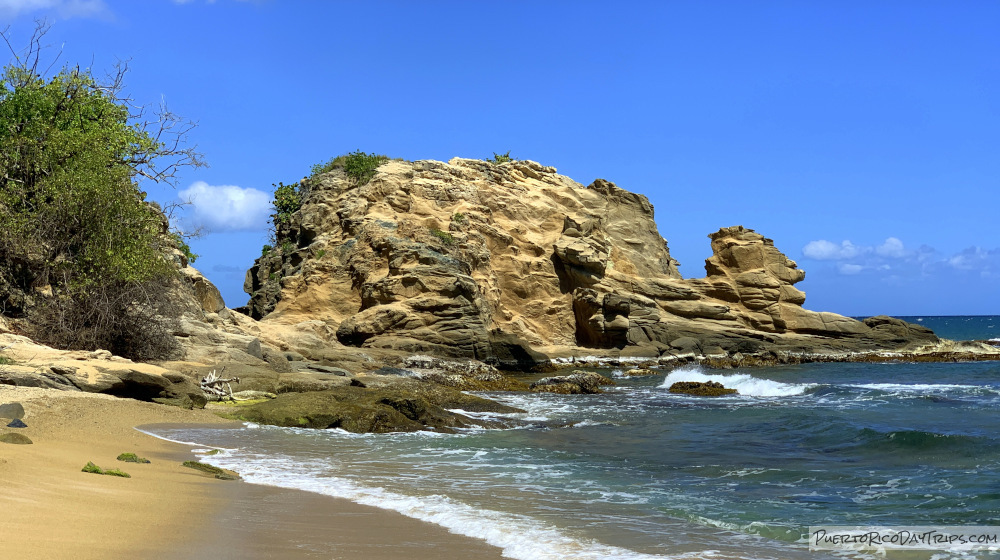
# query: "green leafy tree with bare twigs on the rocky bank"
[[81, 251]]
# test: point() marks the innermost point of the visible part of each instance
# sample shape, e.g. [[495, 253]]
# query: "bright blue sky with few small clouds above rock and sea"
[[863, 137]]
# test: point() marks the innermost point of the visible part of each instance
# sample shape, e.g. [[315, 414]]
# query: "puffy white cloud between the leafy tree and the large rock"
[[227, 207]]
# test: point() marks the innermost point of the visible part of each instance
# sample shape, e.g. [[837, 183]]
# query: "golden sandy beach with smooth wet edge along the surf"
[[52, 510]]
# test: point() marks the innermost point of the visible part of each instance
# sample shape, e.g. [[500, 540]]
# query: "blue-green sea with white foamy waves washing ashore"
[[640, 473]]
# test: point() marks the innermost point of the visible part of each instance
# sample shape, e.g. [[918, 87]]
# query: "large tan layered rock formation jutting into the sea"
[[495, 261]]
